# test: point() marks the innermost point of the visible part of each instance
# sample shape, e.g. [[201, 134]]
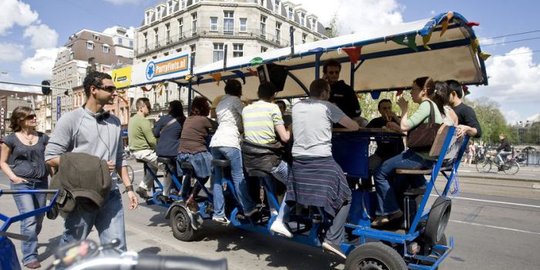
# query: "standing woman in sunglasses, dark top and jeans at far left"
[[23, 161]]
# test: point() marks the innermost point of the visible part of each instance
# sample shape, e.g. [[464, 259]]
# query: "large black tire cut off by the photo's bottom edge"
[[374, 256]]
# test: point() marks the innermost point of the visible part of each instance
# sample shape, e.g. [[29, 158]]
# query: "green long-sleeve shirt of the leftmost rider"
[[140, 134]]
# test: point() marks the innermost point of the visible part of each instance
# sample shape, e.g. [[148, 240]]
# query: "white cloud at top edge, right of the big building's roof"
[[366, 17]]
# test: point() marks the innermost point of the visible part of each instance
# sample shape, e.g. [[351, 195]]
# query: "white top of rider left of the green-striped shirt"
[[229, 117]]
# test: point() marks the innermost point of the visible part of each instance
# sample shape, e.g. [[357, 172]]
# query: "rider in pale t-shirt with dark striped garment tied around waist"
[[317, 180]]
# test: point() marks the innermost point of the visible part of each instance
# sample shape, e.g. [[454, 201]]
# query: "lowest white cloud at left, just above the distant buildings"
[[41, 64]]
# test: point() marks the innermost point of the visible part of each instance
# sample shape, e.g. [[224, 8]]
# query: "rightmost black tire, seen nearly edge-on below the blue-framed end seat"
[[438, 218]]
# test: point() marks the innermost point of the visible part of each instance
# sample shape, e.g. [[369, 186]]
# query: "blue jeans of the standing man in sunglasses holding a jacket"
[[108, 219]]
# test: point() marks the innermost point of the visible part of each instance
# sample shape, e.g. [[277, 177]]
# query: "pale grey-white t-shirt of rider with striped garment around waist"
[[312, 127]]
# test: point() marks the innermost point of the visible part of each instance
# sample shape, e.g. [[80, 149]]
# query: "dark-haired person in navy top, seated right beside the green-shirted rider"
[[167, 130]]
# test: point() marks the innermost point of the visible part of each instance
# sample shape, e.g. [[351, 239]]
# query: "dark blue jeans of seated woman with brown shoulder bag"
[[385, 174]]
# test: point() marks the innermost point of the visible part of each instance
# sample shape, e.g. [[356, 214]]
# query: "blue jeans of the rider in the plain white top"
[[234, 155]]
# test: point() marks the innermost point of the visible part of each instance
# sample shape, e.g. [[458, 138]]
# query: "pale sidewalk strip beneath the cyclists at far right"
[[526, 173]]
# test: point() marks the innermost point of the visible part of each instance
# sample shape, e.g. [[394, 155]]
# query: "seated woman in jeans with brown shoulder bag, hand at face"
[[423, 92]]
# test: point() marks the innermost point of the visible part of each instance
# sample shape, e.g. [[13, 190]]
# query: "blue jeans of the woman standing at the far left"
[[30, 226]]
